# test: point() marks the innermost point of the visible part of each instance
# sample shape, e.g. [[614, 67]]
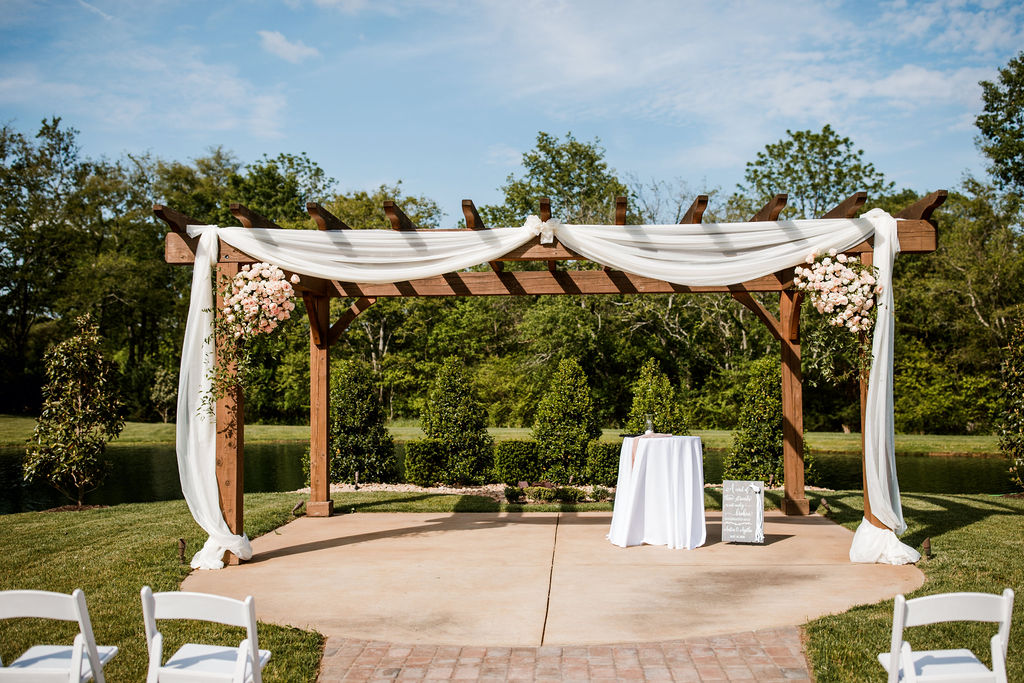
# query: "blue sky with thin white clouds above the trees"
[[447, 96]]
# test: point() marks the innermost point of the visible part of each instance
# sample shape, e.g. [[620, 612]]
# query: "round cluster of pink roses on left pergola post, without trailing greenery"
[[258, 301]]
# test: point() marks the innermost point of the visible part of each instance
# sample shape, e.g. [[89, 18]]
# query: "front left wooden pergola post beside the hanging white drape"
[[231, 440]]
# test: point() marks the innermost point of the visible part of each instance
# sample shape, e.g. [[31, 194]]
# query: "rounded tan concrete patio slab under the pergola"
[[531, 580]]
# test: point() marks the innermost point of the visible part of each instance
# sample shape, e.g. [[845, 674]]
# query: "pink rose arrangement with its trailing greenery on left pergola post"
[[257, 302]]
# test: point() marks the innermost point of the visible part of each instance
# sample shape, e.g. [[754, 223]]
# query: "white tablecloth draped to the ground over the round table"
[[660, 496]]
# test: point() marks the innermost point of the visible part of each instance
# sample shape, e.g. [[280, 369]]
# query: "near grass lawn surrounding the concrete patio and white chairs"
[[977, 541]]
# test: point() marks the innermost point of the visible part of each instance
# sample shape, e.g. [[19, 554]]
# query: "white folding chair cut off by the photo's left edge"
[[78, 663]]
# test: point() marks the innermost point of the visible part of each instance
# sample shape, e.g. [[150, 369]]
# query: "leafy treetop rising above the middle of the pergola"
[[573, 175]]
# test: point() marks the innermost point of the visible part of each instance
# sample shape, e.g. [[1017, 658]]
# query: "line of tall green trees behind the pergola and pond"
[[77, 236]]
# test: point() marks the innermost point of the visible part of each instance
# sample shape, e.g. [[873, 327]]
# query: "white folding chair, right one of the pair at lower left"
[[203, 663]]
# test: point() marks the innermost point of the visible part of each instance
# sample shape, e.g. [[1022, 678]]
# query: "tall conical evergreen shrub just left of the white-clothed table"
[[566, 423]]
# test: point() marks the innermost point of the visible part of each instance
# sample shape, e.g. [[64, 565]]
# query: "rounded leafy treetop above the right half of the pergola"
[[817, 170]]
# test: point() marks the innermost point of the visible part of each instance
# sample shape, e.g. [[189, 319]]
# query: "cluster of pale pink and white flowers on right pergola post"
[[841, 288]]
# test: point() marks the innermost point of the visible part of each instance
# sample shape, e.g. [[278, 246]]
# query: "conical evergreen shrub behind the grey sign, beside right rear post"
[[757, 445]]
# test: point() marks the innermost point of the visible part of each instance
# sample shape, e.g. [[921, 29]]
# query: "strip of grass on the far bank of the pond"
[[16, 431]]
